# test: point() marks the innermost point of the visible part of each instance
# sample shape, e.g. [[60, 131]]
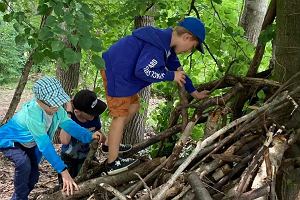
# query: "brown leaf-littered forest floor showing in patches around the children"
[[48, 177]]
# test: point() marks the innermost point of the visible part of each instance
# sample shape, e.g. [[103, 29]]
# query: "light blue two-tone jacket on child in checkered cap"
[[29, 125]]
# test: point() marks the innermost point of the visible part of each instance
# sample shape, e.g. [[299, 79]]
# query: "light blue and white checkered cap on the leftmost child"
[[49, 90]]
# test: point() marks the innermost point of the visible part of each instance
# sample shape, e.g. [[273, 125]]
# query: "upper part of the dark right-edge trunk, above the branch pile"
[[287, 40]]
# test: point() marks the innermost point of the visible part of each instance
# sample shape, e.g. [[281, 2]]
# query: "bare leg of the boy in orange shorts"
[[116, 132]]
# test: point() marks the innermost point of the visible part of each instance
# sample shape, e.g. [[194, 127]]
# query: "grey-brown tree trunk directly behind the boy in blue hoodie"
[[134, 132]]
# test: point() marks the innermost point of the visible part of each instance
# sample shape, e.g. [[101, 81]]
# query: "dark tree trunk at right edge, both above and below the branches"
[[287, 63]]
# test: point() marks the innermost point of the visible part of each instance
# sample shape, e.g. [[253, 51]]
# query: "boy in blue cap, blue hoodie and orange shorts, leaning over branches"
[[147, 56]]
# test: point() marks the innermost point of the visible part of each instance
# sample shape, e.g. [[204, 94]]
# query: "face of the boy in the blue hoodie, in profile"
[[185, 44]]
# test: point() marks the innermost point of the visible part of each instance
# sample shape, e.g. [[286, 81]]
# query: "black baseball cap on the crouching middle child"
[[87, 101]]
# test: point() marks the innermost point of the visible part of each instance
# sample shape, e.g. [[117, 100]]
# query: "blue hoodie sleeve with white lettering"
[[151, 67]]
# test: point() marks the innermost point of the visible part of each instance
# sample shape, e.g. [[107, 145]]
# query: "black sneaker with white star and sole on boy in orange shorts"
[[121, 165]]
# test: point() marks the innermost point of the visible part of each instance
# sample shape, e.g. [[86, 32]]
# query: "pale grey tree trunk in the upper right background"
[[252, 18]]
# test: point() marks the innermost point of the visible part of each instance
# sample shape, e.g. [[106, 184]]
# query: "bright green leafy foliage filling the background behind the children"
[[91, 26]]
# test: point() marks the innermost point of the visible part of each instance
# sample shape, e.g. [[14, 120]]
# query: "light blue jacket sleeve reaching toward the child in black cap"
[[75, 130]]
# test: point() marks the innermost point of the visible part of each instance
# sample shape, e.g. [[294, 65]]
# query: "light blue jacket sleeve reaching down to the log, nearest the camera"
[[45, 145]]
